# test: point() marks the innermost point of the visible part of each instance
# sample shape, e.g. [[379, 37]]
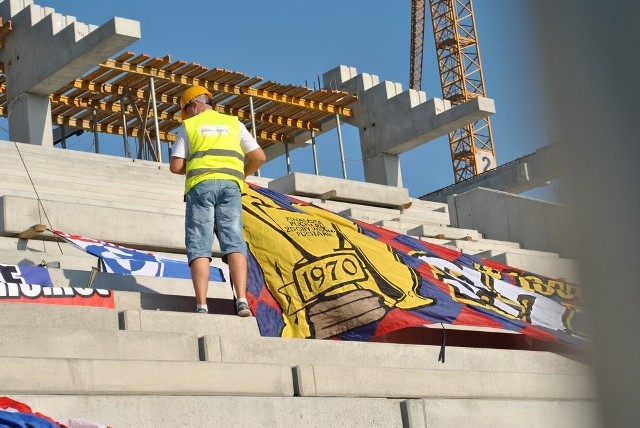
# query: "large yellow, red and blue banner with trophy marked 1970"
[[316, 274]]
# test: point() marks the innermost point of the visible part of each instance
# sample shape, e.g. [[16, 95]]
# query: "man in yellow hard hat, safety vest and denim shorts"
[[210, 149]]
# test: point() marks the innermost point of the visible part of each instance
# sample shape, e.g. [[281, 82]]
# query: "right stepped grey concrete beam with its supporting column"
[[392, 121]]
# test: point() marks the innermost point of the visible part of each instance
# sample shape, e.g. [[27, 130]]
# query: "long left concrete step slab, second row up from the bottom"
[[131, 377]]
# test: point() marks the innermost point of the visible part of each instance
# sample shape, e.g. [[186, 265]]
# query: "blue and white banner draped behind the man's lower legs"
[[128, 261]]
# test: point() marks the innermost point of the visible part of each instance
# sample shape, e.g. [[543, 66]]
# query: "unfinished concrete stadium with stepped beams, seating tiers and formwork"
[[146, 360]]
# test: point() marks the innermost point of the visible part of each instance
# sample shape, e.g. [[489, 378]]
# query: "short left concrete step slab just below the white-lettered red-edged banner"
[[42, 315]]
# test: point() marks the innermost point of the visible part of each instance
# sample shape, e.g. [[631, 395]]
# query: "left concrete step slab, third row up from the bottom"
[[74, 342]]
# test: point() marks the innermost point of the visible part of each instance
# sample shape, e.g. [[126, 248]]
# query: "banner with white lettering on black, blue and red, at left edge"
[[32, 284]]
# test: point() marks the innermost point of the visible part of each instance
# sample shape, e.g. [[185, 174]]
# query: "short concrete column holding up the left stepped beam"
[[30, 120]]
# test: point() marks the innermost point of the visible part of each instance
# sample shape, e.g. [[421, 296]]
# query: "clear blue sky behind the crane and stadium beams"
[[295, 41]]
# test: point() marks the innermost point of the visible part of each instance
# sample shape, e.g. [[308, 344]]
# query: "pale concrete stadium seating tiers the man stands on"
[[151, 362]]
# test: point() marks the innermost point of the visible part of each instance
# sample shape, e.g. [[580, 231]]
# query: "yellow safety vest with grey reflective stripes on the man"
[[214, 149]]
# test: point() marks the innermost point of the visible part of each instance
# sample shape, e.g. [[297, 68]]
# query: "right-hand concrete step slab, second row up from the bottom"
[[424, 383]]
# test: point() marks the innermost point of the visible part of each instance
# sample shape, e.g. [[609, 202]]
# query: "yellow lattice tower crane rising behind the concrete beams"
[[461, 78]]
